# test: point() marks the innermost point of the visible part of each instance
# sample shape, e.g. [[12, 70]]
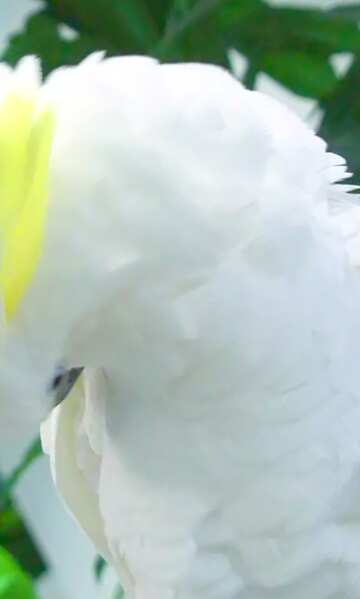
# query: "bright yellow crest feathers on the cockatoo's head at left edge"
[[26, 136]]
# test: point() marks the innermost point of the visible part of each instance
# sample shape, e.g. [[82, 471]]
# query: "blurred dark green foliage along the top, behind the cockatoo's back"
[[292, 45]]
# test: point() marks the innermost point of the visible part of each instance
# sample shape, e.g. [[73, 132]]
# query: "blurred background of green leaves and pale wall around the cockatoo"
[[304, 52]]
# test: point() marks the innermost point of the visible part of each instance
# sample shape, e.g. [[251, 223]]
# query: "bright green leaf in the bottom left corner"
[[14, 583]]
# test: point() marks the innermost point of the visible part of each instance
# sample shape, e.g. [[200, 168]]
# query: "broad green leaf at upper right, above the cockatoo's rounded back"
[[293, 46]]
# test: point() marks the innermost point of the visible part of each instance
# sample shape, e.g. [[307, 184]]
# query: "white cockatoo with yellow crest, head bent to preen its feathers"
[[184, 240]]
